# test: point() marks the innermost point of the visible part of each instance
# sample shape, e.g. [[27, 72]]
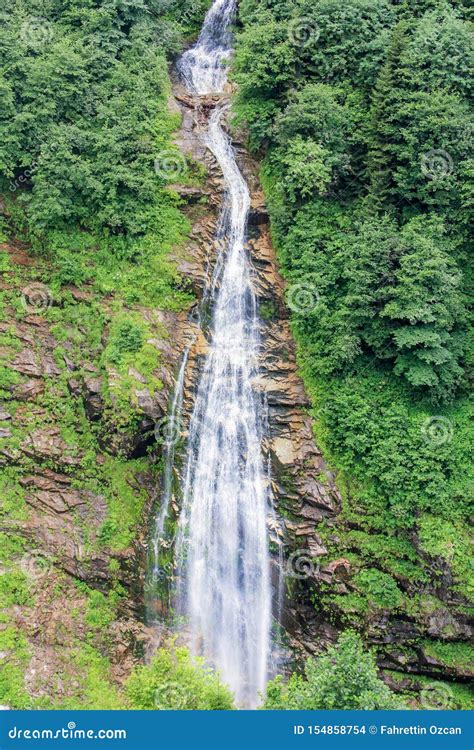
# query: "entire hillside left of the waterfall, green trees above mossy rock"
[[88, 223]]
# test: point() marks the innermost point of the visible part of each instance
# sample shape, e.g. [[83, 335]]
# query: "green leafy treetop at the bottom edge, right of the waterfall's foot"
[[343, 678]]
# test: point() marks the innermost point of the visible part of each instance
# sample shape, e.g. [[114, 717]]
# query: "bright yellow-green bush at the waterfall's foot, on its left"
[[173, 680]]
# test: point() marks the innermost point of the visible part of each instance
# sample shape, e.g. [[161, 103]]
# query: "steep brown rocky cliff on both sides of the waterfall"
[[81, 437]]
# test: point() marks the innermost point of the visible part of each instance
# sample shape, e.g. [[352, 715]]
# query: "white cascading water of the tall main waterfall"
[[224, 586]]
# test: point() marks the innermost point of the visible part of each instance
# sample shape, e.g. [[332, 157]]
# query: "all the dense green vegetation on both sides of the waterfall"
[[360, 113]]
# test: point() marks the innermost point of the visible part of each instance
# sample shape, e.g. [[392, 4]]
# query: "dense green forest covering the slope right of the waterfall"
[[361, 114]]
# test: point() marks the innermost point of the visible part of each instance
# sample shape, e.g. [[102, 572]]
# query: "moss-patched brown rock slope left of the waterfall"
[[65, 460]]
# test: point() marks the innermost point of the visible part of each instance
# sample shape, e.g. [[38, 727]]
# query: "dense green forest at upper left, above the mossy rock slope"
[[86, 130]]
